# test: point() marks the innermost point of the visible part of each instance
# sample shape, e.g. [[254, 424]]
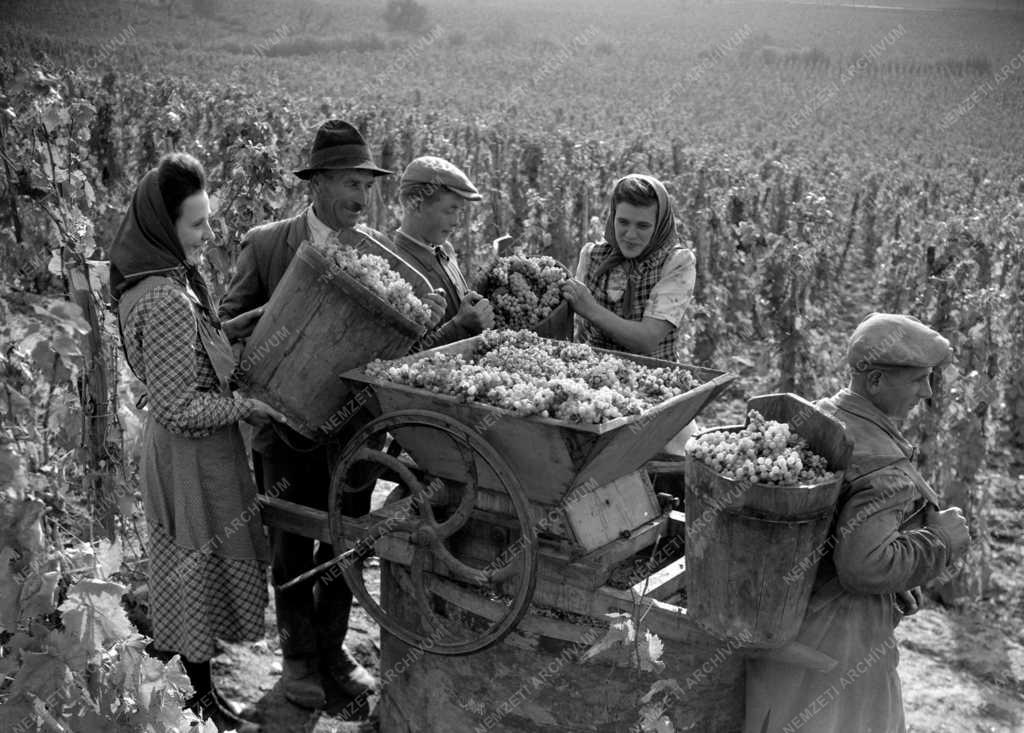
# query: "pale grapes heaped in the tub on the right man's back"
[[764, 452]]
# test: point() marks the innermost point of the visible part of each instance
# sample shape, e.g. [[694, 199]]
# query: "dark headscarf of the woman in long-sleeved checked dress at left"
[[148, 244]]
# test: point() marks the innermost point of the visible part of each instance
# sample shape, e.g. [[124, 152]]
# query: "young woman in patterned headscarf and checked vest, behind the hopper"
[[632, 289]]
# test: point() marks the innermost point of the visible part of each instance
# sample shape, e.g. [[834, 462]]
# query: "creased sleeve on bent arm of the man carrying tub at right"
[[873, 555]]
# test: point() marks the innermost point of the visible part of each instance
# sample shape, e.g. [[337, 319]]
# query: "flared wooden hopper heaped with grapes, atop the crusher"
[[564, 415]]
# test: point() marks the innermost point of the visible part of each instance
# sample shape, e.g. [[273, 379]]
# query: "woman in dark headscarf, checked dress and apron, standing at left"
[[206, 544]]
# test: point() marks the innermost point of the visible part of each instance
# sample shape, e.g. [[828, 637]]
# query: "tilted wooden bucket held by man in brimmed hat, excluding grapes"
[[319, 324]]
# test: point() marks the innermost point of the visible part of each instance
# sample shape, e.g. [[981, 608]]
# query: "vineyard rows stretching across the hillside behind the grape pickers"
[[827, 161]]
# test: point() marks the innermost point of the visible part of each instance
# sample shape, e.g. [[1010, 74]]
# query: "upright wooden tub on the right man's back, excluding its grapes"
[[753, 550]]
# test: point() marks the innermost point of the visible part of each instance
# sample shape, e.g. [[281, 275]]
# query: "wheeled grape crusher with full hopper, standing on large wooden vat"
[[511, 537]]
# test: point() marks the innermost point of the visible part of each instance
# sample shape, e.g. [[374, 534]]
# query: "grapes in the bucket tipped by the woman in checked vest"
[[523, 290]]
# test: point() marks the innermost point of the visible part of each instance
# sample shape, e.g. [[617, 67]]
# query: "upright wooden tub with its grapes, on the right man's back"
[[764, 515]]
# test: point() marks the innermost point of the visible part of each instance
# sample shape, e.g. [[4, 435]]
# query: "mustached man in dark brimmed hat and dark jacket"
[[313, 618]]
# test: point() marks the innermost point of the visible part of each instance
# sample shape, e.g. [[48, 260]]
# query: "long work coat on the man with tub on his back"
[[879, 546]]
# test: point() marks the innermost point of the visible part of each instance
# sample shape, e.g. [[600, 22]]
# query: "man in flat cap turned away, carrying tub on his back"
[[889, 539]]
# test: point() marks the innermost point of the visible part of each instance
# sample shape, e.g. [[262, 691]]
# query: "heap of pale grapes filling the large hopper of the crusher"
[[528, 375]]
